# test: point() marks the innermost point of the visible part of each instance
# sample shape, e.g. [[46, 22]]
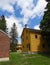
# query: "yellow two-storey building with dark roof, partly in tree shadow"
[[32, 41]]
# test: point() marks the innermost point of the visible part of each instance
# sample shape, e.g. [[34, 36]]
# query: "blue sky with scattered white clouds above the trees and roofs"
[[22, 12]]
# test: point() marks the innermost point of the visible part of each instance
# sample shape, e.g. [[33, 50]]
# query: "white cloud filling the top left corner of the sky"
[[6, 5]]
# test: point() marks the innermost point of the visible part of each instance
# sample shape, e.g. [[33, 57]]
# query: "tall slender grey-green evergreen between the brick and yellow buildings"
[[14, 36]]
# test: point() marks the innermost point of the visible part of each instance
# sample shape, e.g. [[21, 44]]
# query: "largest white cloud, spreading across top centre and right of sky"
[[29, 10]]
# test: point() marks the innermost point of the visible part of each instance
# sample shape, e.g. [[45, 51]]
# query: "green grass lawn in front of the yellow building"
[[27, 59]]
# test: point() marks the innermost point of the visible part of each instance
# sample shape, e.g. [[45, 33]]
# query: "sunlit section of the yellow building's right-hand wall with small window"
[[35, 42]]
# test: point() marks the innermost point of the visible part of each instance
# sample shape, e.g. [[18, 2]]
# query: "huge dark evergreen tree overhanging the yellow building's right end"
[[45, 24]]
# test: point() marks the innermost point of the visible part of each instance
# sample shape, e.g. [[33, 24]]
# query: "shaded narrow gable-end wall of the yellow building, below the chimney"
[[25, 40]]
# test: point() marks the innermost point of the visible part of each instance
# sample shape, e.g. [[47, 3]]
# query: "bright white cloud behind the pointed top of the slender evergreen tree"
[[10, 21]]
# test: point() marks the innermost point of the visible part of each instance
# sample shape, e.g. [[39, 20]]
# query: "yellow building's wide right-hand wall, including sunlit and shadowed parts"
[[37, 43]]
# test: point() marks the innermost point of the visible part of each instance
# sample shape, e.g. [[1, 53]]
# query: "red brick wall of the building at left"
[[4, 45]]
